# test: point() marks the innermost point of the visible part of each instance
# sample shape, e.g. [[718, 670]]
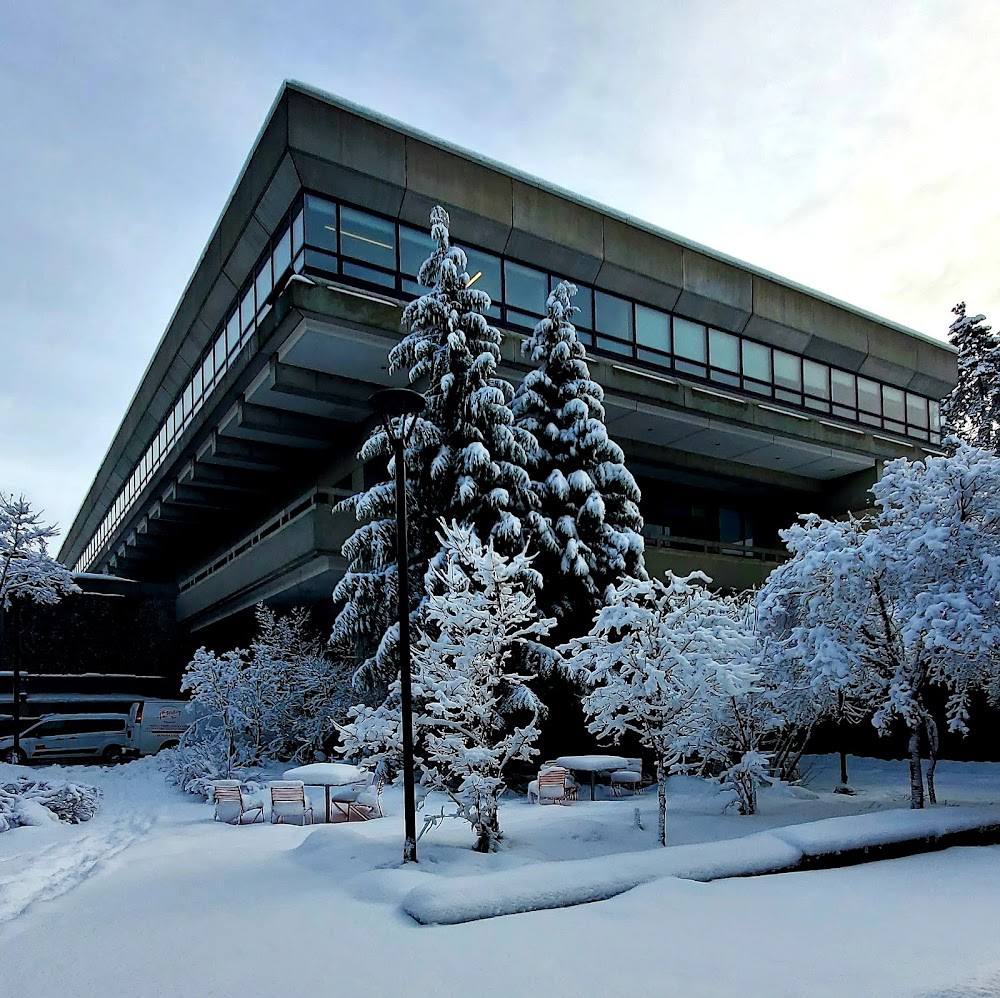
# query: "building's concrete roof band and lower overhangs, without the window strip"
[[282, 423]]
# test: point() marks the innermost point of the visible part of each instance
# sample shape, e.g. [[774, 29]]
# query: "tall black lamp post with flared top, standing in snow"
[[394, 406]]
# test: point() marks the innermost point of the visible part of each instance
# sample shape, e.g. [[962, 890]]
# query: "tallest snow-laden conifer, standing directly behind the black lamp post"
[[465, 460]]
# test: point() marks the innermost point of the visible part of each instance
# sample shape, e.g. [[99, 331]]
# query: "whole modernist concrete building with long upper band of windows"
[[739, 398]]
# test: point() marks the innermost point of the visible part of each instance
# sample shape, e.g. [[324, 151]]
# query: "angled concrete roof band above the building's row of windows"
[[312, 140]]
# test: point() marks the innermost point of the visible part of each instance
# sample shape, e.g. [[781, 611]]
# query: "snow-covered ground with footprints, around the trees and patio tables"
[[152, 897]]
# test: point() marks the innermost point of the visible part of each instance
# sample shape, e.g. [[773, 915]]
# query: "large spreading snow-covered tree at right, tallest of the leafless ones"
[[906, 599]]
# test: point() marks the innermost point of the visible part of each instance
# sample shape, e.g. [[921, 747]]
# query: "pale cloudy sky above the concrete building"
[[850, 146]]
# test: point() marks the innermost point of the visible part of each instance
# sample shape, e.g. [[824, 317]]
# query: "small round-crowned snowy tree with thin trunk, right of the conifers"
[[658, 658]]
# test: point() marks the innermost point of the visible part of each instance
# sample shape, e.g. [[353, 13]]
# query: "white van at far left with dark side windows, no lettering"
[[71, 736]]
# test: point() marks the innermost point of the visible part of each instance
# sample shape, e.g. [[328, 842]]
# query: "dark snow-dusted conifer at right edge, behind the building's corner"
[[972, 410]]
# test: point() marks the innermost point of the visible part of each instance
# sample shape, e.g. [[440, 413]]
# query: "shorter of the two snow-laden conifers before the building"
[[588, 530]]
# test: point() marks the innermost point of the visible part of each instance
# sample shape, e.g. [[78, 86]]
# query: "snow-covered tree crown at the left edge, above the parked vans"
[[27, 570]]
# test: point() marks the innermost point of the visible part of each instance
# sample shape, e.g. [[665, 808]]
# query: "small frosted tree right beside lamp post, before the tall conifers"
[[474, 713]]
